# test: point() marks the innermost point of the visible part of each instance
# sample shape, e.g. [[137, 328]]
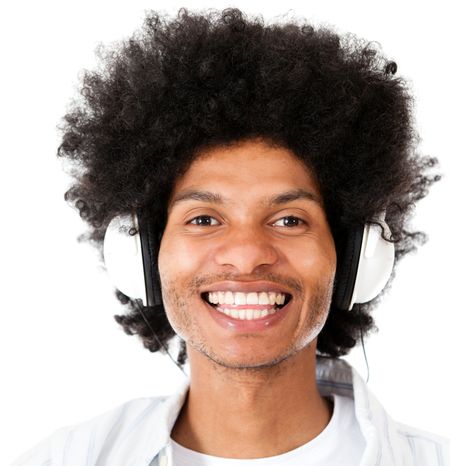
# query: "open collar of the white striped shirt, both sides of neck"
[[333, 375]]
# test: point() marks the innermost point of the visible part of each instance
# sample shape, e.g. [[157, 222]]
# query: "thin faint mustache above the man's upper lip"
[[205, 280]]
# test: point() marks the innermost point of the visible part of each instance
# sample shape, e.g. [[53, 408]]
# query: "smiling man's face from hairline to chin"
[[247, 244]]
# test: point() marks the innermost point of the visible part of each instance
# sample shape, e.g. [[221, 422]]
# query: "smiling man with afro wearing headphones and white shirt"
[[250, 159]]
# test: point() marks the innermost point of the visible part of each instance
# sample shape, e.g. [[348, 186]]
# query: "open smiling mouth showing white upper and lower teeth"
[[251, 308]]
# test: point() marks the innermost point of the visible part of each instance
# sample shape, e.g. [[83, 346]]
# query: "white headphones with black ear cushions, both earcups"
[[131, 247]]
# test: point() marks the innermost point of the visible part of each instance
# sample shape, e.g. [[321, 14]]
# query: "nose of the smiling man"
[[245, 249]]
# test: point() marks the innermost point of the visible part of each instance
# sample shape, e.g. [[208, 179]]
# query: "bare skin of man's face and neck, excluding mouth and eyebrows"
[[252, 394]]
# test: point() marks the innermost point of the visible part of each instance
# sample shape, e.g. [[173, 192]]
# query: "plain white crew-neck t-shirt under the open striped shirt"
[[341, 444]]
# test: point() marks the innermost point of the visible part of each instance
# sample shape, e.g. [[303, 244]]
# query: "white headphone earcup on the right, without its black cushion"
[[376, 261]]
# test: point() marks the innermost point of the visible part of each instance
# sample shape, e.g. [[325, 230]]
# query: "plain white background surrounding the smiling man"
[[63, 357]]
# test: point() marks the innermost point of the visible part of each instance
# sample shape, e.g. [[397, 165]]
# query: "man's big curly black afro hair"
[[198, 80]]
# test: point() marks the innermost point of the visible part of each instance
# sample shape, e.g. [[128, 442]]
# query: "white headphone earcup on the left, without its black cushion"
[[122, 254]]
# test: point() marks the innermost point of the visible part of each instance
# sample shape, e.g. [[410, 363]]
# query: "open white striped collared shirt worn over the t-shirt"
[[137, 433]]
